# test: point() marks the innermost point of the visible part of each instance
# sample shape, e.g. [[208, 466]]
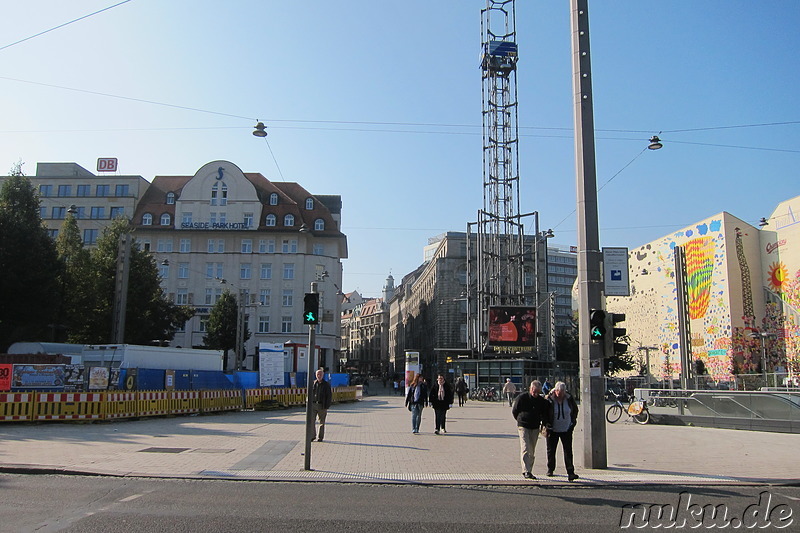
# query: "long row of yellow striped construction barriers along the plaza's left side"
[[30, 406]]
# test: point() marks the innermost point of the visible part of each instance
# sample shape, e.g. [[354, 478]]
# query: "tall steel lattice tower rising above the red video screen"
[[499, 253]]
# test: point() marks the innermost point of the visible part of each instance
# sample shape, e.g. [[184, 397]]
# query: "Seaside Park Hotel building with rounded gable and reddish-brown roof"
[[221, 229]]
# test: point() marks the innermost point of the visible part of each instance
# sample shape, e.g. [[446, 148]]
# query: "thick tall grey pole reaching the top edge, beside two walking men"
[[589, 280]]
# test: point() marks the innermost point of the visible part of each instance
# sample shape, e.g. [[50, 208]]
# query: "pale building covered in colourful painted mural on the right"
[[741, 310]]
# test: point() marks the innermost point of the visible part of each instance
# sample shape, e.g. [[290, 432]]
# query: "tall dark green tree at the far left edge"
[[29, 289]]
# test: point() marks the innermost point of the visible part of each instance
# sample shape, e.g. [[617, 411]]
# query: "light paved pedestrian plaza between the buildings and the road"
[[371, 441]]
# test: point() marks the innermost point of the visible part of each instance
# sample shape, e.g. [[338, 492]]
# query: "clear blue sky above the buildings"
[[380, 102]]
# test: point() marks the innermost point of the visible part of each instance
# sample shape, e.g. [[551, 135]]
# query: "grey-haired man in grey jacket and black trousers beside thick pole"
[[562, 415]]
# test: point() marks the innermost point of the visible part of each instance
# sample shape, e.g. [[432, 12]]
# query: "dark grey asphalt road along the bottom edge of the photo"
[[48, 503]]
